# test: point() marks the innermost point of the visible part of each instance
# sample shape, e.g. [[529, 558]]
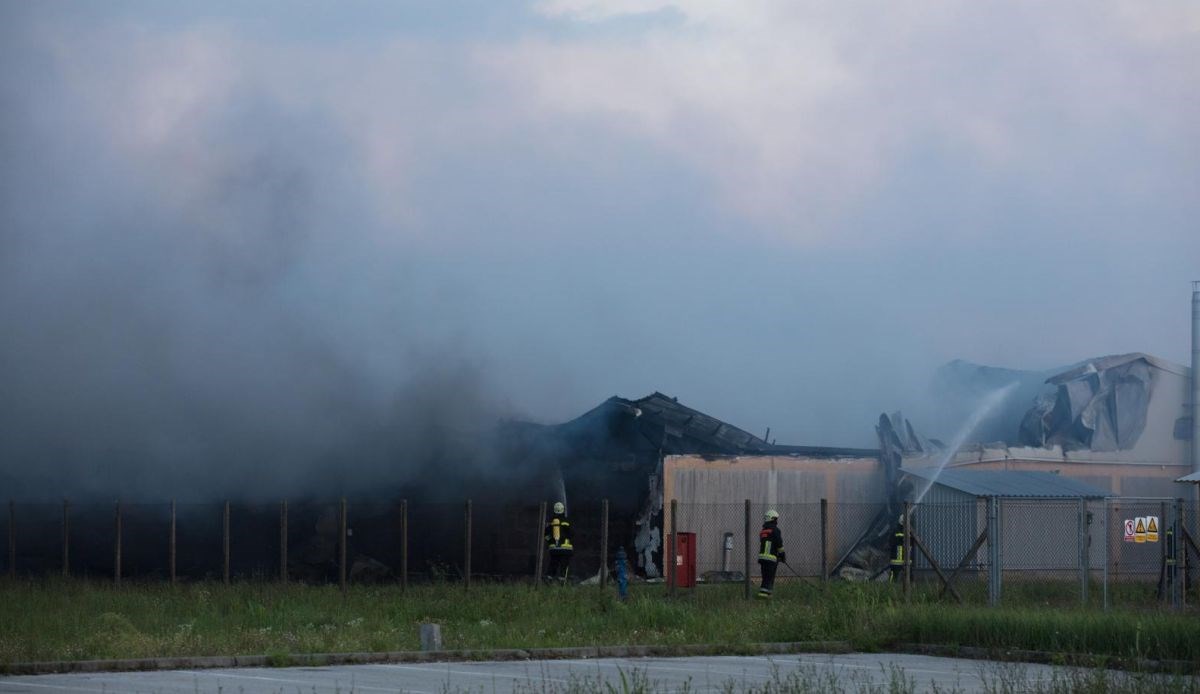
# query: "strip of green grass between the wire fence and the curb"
[[59, 620]]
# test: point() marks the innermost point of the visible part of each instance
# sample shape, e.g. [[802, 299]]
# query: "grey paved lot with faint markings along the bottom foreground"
[[853, 673]]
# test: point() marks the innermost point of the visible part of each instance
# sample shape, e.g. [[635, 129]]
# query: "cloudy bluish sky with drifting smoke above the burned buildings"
[[231, 228]]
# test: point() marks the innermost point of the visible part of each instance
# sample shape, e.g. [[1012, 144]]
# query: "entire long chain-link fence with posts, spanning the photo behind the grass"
[[1124, 553]]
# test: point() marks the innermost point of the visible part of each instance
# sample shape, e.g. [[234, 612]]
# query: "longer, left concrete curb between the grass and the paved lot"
[[317, 660]]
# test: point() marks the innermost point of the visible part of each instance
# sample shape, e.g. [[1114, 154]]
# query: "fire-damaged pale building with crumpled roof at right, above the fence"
[[1120, 423]]
